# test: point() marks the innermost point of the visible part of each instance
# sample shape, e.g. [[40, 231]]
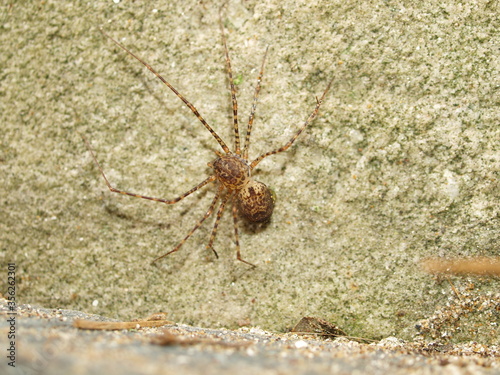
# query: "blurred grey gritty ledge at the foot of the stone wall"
[[48, 343]]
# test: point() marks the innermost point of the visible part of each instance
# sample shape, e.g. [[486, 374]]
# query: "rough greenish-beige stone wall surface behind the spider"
[[402, 164]]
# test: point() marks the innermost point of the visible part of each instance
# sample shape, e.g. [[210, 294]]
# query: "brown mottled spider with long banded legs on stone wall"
[[232, 170]]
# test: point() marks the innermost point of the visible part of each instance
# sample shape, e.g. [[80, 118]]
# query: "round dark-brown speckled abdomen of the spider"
[[255, 202]]
